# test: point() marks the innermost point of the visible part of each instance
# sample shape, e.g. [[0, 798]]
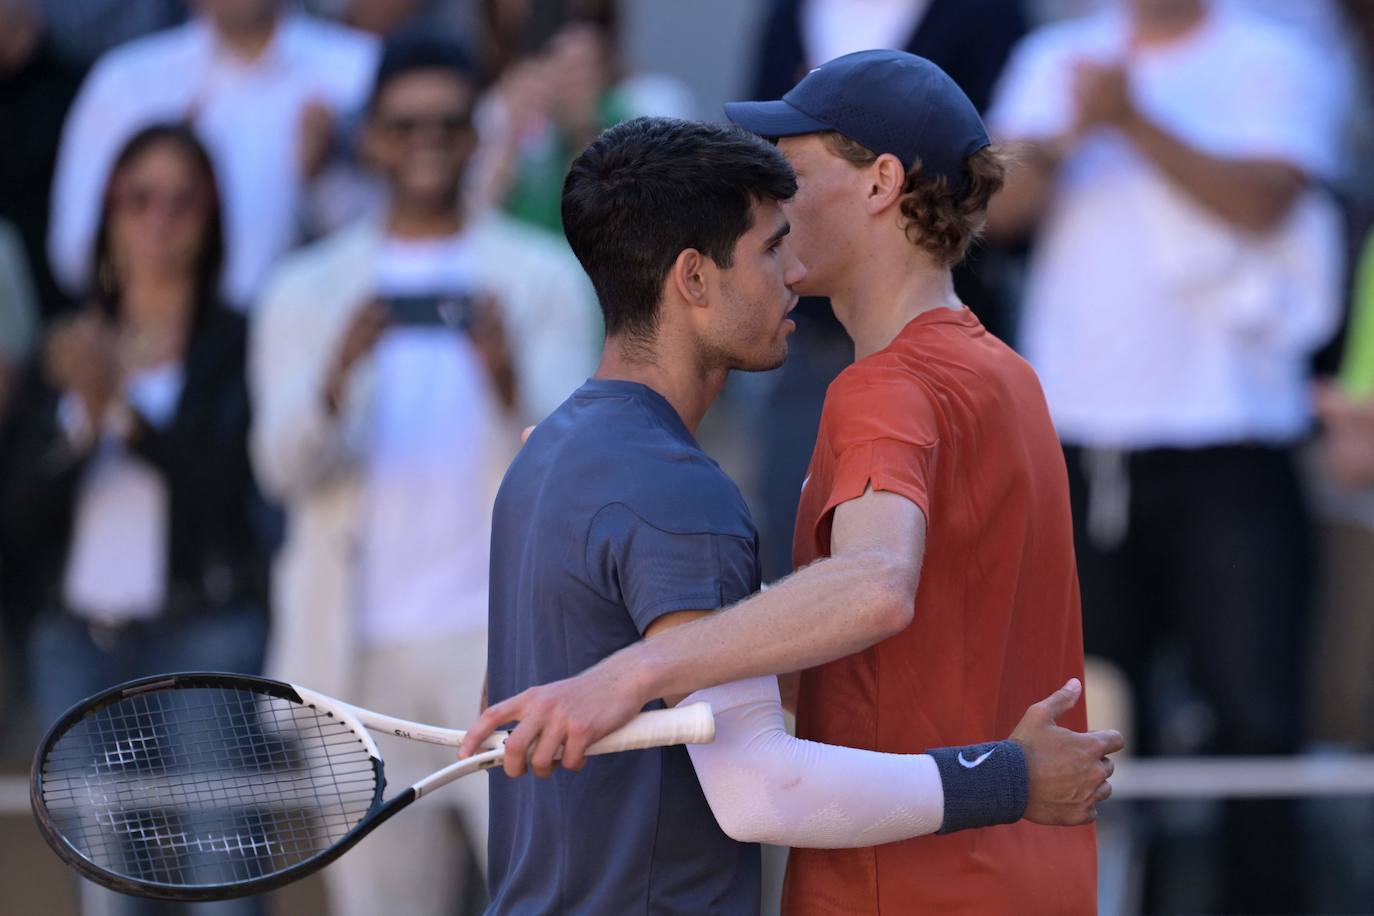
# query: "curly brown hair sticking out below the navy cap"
[[942, 222]]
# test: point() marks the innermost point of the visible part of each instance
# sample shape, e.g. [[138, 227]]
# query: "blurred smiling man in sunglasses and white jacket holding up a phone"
[[392, 369]]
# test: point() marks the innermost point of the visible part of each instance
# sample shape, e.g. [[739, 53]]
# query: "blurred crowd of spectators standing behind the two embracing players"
[[281, 284]]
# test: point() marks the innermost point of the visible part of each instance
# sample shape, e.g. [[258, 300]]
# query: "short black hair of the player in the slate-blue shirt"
[[648, 190]]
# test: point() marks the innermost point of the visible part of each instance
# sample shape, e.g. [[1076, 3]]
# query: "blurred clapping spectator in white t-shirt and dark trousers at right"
[[1186, 266]]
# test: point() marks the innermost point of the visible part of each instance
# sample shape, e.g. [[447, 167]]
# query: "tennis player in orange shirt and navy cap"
[[936, 451]]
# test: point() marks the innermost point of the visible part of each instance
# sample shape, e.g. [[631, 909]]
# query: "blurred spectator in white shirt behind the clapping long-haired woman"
[[262, 84]]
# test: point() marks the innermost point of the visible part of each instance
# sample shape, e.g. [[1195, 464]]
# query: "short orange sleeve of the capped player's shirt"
[[883, 432]]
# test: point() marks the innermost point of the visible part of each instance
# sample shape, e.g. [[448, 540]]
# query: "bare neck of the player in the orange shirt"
[[875, 306]]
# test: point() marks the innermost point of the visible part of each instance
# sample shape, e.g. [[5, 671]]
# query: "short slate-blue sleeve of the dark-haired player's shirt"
[[653, 571]]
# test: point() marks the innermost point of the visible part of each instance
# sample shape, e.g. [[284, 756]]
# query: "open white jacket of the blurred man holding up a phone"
[[311, 462]]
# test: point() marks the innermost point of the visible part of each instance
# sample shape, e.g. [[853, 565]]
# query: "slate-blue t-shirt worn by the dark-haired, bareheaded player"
[[609, 518]]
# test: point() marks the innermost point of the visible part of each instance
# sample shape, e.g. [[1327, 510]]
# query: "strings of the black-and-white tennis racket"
[[205, 786]]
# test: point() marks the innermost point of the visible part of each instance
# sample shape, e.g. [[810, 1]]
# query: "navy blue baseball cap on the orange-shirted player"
[[887, 101]]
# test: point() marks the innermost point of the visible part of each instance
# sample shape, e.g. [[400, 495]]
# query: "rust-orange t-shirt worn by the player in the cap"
[[951, 420]]
